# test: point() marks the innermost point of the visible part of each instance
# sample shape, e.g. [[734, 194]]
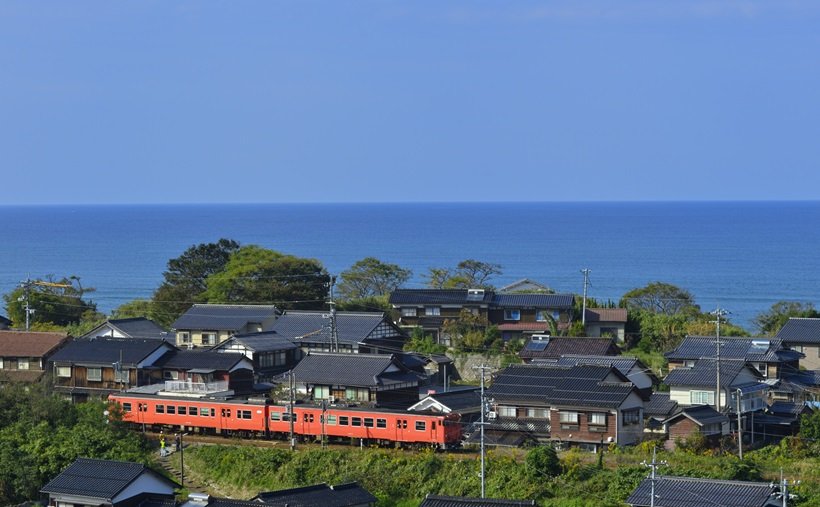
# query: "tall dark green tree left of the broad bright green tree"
[[186, 278]]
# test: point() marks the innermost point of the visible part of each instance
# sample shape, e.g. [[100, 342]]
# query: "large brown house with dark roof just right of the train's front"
[[585, 405]]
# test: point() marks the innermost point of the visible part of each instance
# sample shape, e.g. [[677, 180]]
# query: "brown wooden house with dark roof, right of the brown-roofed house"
[[99, 367]]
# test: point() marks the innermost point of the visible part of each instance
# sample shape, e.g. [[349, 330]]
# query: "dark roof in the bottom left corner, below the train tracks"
[[97, 478]]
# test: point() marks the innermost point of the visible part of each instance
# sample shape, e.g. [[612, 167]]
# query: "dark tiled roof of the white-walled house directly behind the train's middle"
[[360, 370]]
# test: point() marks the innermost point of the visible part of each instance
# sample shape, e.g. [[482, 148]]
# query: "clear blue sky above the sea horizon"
[[331, 101]]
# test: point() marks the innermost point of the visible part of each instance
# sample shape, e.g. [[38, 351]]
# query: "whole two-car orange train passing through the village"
[[264, 419]]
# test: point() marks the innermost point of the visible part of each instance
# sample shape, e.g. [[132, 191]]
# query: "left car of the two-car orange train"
[[241, 417]]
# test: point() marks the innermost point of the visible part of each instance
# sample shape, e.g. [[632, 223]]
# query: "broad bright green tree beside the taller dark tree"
[[256, 275]]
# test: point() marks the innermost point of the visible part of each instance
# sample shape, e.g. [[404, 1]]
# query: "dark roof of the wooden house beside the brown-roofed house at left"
[[107, 350]]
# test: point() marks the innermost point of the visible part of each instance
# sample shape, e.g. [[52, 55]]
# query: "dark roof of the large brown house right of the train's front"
[[583, 386]]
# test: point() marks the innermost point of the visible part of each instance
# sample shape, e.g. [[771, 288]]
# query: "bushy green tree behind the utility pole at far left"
[[55, 302]]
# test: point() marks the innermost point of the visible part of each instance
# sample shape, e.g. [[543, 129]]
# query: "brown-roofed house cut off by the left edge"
[[24, 354]]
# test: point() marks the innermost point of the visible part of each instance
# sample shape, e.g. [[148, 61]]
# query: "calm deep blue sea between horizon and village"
[[743, 256]]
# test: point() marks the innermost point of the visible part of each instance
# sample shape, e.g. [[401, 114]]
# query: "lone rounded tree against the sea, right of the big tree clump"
[[371, 277]]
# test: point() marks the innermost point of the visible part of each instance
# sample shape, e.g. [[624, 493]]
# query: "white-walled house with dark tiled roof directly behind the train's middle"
[[370, 379]]
